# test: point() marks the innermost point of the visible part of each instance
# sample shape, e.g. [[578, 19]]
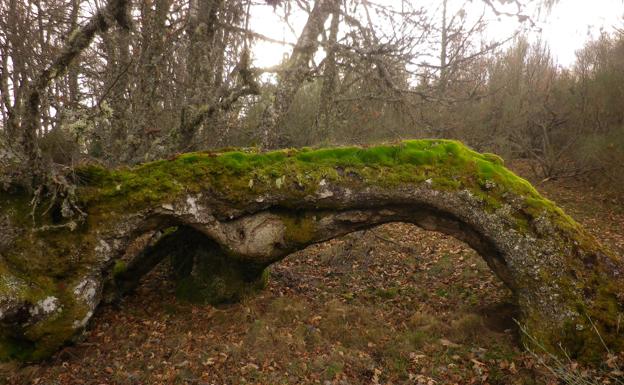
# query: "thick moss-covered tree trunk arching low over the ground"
[[224, 217]]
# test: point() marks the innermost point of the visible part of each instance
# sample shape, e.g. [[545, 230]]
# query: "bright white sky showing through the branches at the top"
[[566, 28]]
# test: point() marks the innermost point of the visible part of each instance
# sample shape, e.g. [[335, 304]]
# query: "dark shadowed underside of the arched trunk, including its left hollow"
[[206, 272]]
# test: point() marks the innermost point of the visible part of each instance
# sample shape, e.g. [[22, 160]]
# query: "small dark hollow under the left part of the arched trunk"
[[201, 269]]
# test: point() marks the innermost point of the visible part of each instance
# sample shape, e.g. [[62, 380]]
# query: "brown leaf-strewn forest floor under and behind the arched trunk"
[[391, 305]]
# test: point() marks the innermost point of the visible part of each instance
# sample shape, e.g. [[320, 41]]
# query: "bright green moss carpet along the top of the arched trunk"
[[240, 176]]
